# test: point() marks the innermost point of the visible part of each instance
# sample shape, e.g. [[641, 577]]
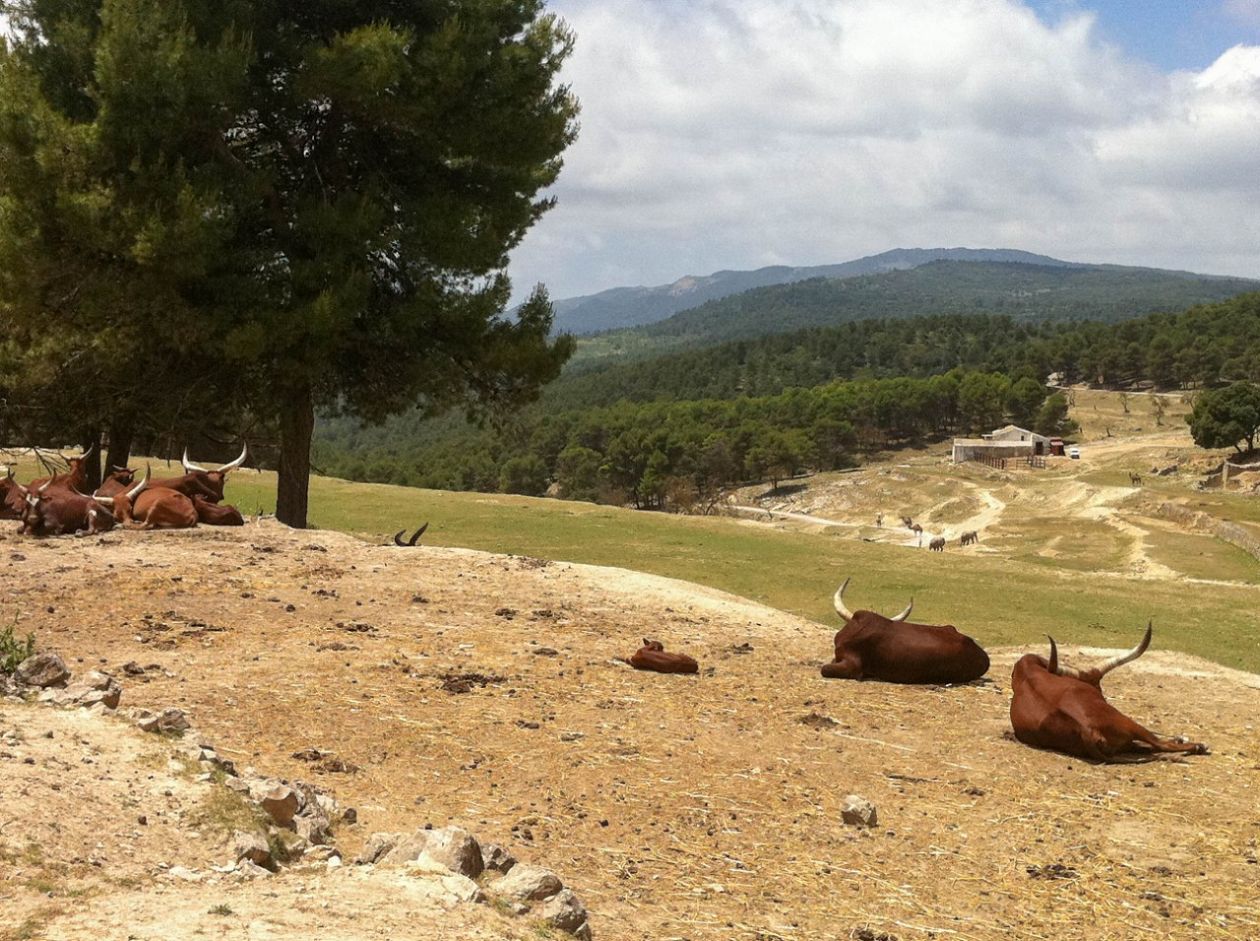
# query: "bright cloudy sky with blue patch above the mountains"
[[738, 134]]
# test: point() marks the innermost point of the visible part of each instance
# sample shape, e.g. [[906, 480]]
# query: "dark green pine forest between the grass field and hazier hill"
[[675, 430]]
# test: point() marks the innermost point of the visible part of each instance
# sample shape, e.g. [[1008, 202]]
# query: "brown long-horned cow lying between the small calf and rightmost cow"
[[894, 651]]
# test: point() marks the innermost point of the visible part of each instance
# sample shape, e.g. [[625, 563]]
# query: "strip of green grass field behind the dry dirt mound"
[[999, 602]]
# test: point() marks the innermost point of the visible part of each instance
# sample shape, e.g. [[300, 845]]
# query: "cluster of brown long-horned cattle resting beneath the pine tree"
[[57, 506]]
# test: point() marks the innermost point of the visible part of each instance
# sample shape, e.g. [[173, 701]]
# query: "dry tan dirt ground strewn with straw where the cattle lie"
[[676, 807]]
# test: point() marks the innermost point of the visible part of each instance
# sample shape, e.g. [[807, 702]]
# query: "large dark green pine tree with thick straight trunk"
[[282, 206]]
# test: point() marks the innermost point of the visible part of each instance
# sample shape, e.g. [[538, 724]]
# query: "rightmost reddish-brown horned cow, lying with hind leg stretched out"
[[1063, 710]]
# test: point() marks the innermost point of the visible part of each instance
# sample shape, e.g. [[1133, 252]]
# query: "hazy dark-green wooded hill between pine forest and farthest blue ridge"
[[1025, 293]]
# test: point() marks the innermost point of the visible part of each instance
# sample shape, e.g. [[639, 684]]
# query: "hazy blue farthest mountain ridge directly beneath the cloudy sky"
[[621, 308]]
